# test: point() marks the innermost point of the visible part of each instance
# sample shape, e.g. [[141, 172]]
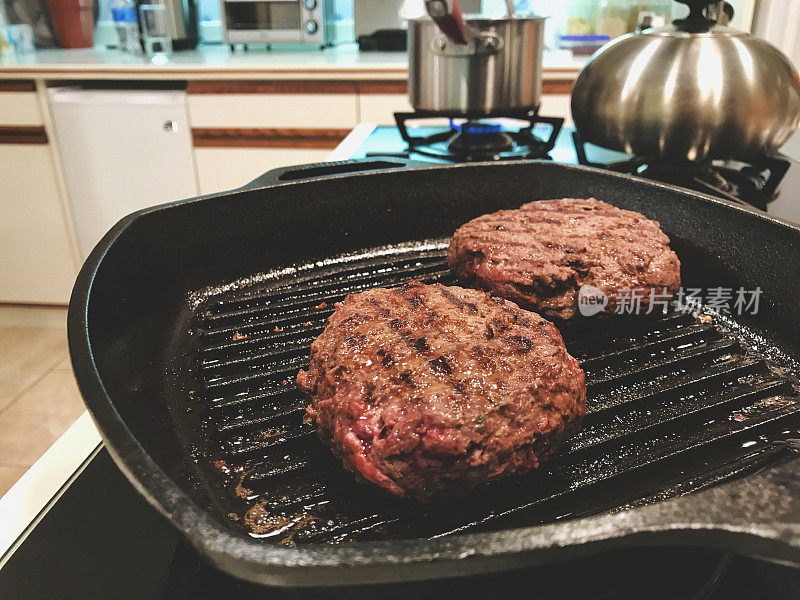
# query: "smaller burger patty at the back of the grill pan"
[[541, 254]]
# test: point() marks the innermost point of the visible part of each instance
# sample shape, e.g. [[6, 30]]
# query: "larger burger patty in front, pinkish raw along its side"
[[428, 391]]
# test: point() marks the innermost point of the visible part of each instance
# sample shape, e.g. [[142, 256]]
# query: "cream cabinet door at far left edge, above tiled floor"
[[36, 263]]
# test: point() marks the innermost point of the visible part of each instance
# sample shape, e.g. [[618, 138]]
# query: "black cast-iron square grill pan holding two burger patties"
[[189, 322]]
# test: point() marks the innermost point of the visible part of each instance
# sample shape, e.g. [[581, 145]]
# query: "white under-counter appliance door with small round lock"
[[120, 151]]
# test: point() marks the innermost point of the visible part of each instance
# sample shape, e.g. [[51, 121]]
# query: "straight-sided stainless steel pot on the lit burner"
[[499, 69]]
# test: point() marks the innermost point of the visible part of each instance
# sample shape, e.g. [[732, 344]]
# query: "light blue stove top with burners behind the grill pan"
[[537, 137]]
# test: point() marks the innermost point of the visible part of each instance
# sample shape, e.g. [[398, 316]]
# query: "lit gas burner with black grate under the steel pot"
[[479, 139]]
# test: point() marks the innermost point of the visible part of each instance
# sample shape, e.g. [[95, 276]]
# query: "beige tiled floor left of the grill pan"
[[39, 398]]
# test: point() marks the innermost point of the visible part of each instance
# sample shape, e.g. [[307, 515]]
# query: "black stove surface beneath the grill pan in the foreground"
[[101, 540]]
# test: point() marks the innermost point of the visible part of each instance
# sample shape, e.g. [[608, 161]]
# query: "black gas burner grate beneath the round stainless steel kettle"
[[743, 183]]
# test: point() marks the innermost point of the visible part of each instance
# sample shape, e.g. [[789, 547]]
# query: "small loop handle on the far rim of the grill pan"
[[329, 169]]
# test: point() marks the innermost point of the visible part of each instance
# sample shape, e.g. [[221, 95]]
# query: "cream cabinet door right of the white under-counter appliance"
[[222, 169]]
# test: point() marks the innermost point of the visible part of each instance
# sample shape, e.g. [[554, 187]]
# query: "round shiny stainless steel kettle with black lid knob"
[[693, 90]]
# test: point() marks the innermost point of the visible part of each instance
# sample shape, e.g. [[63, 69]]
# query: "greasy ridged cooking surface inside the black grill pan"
[[675, 404]]
